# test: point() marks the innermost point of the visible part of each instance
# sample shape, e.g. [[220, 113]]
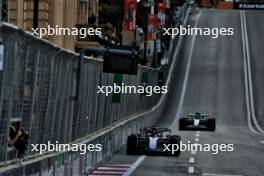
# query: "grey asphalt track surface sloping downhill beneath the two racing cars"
[[211, 77]]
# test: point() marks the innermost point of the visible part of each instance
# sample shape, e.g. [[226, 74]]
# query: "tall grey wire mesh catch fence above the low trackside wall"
[[38, 82]]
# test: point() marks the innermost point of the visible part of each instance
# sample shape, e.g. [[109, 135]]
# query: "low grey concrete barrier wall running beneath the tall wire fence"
[[112, 137]]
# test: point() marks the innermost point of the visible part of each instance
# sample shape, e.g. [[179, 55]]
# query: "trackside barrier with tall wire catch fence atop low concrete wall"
[[45, 73]]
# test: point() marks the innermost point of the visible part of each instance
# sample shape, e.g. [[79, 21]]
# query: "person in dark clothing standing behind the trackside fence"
[[18, 138]]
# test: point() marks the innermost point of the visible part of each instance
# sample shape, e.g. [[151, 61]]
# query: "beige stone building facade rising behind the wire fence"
[[63, 13]]
